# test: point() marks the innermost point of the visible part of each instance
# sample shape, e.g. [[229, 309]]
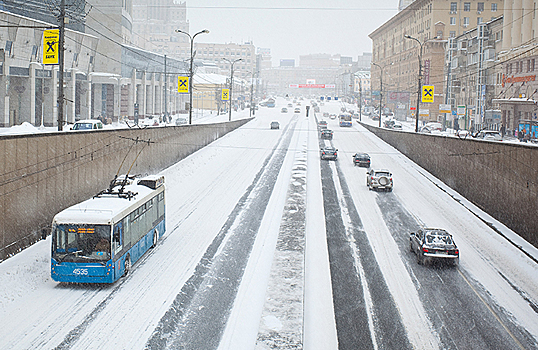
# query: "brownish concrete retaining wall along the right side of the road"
[[500, 178]]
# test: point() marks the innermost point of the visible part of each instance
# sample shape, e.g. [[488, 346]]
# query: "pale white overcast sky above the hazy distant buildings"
[[292, 27]]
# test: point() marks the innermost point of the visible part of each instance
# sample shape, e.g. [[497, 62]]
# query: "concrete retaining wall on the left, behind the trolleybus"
[[42, 174]]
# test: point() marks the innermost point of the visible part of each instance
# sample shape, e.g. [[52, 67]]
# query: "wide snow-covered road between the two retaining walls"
[[267, 246]]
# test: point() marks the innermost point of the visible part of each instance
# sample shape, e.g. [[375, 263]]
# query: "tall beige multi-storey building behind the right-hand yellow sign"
[[429, 23]]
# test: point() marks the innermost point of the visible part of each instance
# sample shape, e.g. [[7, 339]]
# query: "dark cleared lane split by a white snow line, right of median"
[[366, 314]]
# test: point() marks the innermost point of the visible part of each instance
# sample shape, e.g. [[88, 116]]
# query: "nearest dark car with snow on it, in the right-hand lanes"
[[433, 244]]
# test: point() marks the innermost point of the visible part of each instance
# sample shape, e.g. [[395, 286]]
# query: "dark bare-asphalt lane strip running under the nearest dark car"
[[457, 309]]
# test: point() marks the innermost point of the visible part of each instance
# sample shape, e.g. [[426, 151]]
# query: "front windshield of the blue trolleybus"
[[81, 243]]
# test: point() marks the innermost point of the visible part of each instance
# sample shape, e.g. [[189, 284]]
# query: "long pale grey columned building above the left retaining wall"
[[103, 76]]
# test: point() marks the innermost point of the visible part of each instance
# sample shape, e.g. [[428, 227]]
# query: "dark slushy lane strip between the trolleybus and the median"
[[198, 315]]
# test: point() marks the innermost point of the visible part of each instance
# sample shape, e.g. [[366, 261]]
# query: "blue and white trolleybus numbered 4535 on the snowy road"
[[98, 240]]
